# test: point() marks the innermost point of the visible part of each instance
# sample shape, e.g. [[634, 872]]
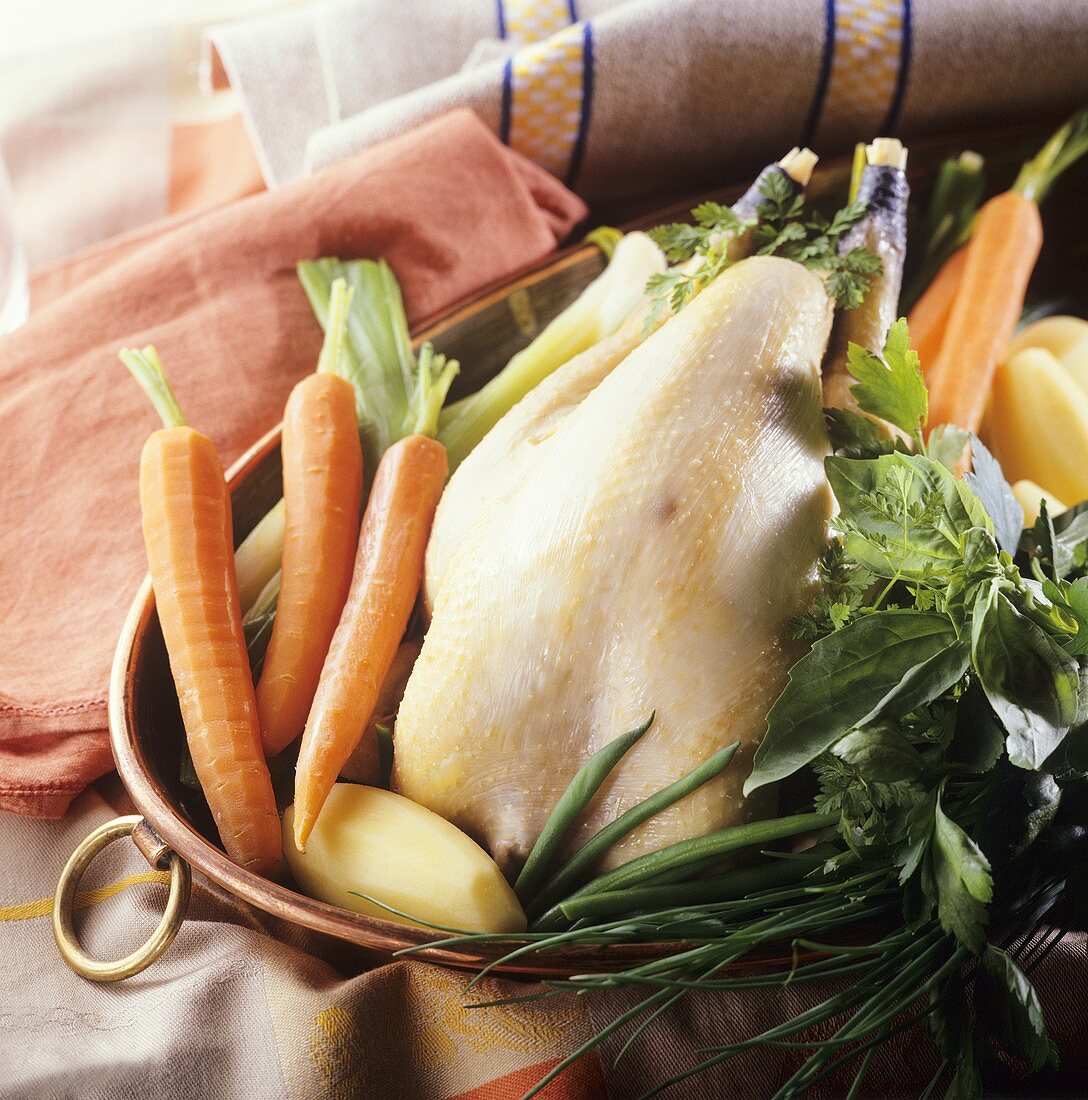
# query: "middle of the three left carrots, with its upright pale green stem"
[[323, 474]]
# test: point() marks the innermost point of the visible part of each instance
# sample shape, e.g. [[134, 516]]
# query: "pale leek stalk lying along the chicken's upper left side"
[[596, 314]]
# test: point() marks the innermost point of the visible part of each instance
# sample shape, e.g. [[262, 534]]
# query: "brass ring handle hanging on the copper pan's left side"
[[64, 905]]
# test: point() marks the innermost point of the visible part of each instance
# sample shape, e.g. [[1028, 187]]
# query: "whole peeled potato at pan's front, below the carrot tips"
[[377, 843]]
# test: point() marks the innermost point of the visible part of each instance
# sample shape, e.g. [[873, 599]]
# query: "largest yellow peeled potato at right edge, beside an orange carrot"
[[1038, 424]]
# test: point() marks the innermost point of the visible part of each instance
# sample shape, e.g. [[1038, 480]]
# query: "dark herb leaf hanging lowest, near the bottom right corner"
[[1008, 1007]]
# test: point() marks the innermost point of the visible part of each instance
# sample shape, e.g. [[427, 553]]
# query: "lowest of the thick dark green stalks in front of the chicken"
[[730, 886]]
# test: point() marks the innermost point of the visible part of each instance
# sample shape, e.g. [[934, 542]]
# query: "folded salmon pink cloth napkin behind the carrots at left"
[[447, 205]]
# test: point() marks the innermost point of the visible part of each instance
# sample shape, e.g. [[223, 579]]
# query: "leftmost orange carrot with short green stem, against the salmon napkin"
[[188, 532]]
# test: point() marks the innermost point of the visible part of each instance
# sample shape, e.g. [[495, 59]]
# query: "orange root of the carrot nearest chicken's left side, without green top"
[[389, 570]]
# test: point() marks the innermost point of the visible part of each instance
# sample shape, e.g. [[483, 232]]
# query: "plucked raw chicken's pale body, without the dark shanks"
[[653, 529]]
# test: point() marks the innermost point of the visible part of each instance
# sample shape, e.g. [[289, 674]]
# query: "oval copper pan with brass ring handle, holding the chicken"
[[174, 831]]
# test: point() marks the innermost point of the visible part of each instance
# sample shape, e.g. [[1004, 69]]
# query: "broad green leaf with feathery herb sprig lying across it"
[[904, 515]]
